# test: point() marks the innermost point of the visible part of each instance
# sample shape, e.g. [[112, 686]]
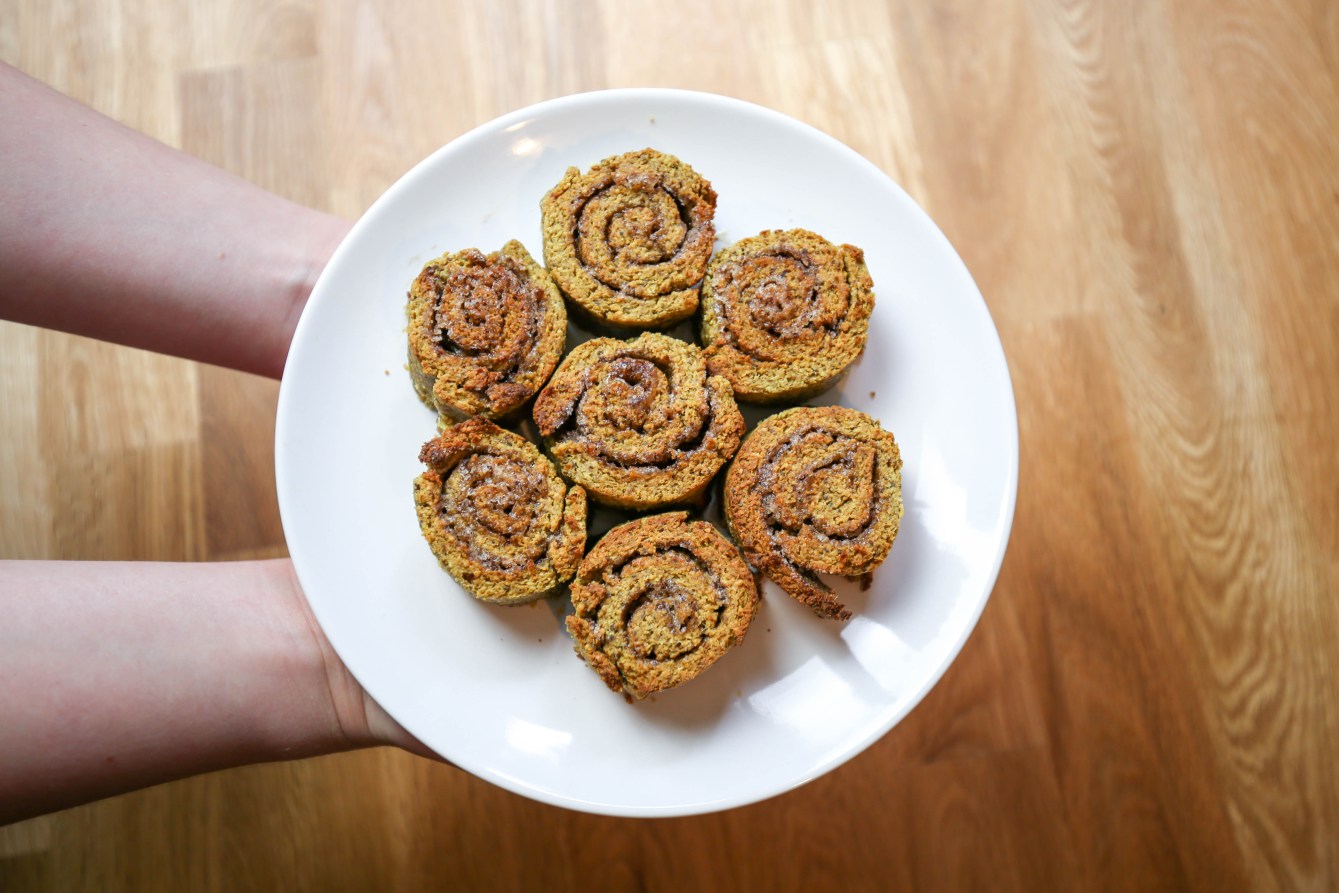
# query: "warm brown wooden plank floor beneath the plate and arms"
[[1148, 196]]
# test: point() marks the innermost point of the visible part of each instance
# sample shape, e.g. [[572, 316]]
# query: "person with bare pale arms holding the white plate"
[[121, 675]]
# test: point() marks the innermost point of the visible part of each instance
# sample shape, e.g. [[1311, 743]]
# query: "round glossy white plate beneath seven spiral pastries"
[[499, 692]]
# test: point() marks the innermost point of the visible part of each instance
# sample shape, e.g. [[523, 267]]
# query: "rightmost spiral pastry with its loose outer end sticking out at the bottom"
[[816, 491]]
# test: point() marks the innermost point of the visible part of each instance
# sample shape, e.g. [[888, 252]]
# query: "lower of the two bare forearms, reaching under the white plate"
[[121, 675]]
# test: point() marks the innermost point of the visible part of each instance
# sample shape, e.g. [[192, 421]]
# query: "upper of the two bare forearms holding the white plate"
[[113, 235]]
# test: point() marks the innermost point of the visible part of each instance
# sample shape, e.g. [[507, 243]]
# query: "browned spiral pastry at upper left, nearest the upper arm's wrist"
[[485, 333]]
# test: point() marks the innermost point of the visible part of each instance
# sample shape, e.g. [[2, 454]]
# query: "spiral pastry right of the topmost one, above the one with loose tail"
[[784, 314]]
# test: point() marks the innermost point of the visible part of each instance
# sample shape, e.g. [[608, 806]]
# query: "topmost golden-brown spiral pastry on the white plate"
[[630, 240]]
